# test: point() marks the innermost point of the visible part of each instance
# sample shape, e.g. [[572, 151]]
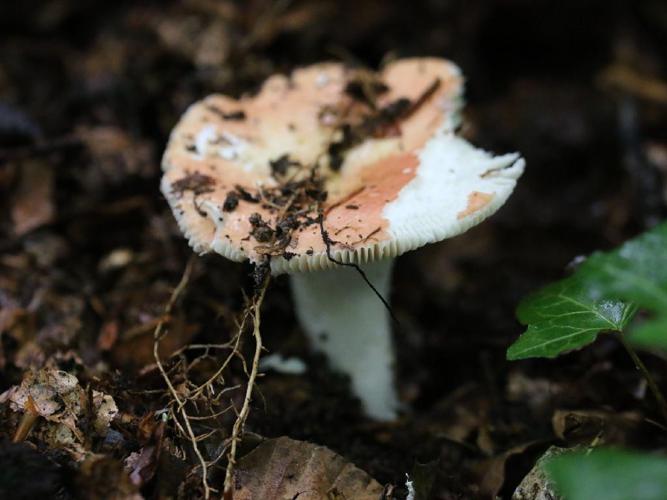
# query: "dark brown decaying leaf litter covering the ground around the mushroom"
[[90, 255]]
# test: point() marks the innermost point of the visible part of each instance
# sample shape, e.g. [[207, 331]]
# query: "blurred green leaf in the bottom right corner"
[[609, 474]]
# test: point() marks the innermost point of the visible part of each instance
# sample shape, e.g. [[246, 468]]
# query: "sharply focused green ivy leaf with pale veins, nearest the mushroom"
[[562, 317]]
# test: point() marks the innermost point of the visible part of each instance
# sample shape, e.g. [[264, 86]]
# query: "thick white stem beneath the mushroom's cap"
[[346, 320]]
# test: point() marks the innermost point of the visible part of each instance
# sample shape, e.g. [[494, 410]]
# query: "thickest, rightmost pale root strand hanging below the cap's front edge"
[[237, 430]]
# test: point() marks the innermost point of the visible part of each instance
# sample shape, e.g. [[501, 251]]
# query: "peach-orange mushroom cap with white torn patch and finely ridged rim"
[[411, 184]]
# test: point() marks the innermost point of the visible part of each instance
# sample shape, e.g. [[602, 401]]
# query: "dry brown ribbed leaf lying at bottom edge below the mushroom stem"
[[283, 468]]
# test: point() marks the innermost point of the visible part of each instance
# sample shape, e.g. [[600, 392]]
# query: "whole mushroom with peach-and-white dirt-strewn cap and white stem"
[[329, 173]]
